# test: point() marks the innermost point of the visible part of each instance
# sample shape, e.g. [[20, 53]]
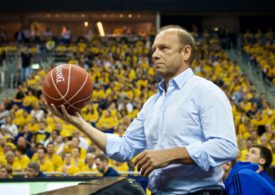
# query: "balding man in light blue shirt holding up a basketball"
[[183, 133]]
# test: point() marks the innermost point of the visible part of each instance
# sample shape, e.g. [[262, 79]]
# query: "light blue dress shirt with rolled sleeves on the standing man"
[[194, 113]]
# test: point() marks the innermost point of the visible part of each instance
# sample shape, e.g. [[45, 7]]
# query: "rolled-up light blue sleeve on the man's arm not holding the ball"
[[219, 145]]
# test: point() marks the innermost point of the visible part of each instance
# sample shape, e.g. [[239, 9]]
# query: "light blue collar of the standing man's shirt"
[[178, 80]]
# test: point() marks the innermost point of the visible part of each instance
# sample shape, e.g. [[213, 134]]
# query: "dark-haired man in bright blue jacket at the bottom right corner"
[[249, 177]]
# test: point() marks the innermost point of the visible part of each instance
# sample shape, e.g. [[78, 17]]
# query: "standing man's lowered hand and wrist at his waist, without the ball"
[[149, 160]]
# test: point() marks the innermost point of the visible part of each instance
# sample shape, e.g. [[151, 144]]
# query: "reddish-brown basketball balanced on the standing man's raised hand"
[[68, 85]]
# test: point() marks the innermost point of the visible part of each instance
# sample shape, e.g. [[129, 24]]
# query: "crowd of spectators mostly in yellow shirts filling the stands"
[[123, 79]]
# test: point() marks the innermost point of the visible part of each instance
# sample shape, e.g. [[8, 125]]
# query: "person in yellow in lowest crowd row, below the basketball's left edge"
[[45, 164]]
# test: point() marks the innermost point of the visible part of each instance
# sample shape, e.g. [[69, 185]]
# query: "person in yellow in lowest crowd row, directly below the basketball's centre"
[[68, 167]]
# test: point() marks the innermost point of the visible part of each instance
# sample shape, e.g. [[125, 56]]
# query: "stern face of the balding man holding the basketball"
[[167, 54]]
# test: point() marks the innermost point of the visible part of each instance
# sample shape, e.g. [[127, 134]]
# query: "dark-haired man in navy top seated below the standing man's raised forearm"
[[102, 166]]
